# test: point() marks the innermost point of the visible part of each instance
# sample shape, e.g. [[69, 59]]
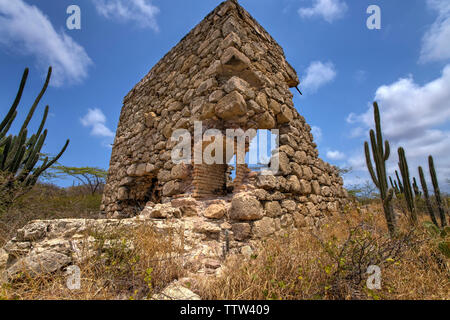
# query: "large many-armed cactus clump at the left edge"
[[19, 155]]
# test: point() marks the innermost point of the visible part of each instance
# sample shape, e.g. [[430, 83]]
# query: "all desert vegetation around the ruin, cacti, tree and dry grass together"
[[402, 229]]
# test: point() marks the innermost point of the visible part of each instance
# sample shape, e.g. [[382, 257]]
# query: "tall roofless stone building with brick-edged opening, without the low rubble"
[[228, 72]]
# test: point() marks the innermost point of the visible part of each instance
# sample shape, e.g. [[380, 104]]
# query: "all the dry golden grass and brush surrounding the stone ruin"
[[329, 263]]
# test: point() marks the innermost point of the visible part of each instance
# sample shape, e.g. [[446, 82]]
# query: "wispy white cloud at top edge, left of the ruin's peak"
[[142, 12]]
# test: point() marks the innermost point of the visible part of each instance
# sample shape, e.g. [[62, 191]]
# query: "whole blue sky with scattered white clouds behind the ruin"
[[343, 65]]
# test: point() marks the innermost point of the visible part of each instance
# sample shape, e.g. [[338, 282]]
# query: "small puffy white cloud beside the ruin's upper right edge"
[[317, 75]]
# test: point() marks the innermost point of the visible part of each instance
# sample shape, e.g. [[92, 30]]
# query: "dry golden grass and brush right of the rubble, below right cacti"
[[304, 266]]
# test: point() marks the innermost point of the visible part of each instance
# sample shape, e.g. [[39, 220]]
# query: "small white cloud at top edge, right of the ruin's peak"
[[329, 10]]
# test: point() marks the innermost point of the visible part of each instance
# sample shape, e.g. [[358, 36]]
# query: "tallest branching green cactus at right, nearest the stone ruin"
[[380, 152]]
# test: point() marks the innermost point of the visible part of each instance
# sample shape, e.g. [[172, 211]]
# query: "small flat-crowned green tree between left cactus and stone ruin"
[[90, 177]]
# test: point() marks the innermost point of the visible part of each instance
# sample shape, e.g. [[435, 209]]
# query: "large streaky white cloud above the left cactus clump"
[[25, 29]]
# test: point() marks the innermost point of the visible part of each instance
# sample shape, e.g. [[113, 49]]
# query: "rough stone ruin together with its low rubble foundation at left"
[[228, 73]]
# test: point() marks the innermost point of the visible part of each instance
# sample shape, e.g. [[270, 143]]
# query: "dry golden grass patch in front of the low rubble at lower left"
[[128, 265]]
